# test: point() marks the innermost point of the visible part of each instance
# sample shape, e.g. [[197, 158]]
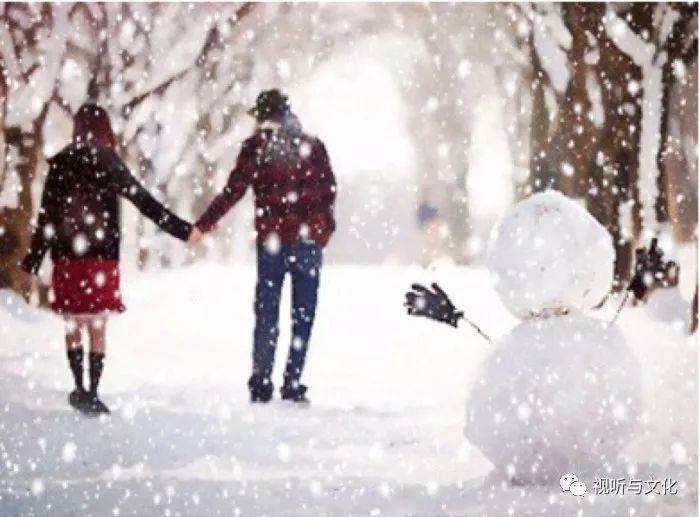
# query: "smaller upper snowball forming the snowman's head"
[[548, 255]]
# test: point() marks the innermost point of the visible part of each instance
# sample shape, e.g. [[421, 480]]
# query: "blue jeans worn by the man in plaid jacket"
[[303, 262]]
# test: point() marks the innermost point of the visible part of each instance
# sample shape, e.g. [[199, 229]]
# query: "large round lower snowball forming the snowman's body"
[[556, 395]]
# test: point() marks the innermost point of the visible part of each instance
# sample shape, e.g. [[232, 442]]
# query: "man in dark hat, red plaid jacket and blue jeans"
[[294, 187]]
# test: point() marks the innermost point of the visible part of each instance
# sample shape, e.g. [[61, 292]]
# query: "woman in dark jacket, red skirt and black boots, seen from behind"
[[79, 223]]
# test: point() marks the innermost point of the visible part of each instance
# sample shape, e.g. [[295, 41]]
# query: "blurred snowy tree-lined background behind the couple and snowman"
[[437, 117]]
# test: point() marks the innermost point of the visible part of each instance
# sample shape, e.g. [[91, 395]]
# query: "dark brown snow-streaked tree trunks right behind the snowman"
[[601, 77]]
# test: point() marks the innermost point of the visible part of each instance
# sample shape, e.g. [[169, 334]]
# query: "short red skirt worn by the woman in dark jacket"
[[86, 286]]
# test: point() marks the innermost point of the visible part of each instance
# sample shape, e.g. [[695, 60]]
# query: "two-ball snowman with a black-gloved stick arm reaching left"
[[562, 391]]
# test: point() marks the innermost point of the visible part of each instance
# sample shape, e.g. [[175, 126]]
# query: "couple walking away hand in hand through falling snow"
[[79, 224]]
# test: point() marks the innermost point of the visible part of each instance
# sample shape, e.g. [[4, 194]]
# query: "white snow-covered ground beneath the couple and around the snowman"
[[384, 435]]
